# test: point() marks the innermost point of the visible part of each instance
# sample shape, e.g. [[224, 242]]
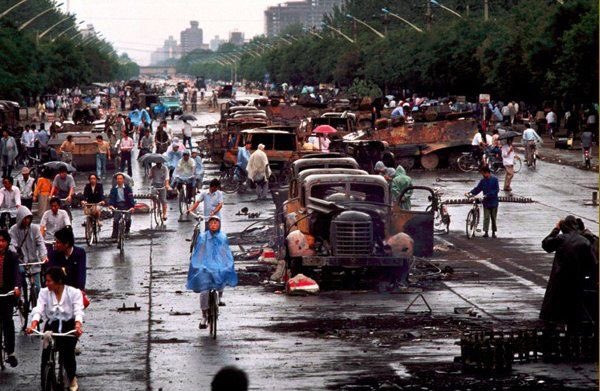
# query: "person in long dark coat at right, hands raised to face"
[[573, 275]]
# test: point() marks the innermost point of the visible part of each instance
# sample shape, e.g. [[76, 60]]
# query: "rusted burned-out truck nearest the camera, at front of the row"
[[341, 219]]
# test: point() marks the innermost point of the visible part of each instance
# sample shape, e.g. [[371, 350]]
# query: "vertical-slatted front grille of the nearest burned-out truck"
[[352, 238]]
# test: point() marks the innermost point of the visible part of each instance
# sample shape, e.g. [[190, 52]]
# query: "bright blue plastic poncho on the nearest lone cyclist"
[[211, 264]]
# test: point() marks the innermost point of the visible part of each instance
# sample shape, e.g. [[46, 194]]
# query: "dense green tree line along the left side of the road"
[[32, 66]]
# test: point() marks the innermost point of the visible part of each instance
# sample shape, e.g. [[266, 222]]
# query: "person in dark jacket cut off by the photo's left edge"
[[10, 279]]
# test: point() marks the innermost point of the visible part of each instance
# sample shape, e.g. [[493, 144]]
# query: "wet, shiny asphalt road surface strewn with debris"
[[160, 346]]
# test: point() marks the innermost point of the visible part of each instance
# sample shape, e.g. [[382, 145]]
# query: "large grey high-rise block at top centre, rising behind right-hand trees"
[[306, 12]]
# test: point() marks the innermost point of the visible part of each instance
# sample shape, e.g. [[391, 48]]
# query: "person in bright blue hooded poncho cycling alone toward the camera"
[[211, 266]]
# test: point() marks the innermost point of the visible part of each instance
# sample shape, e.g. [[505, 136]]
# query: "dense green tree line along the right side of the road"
[[533, 50]]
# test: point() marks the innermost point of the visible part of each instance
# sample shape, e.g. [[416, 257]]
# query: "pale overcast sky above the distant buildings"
[[140, 26]]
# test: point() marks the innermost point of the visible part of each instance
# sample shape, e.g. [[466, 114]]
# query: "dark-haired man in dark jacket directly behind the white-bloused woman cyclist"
[[70, 258]]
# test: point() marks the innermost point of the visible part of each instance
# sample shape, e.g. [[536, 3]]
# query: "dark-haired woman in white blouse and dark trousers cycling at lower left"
[[61, 306]]
